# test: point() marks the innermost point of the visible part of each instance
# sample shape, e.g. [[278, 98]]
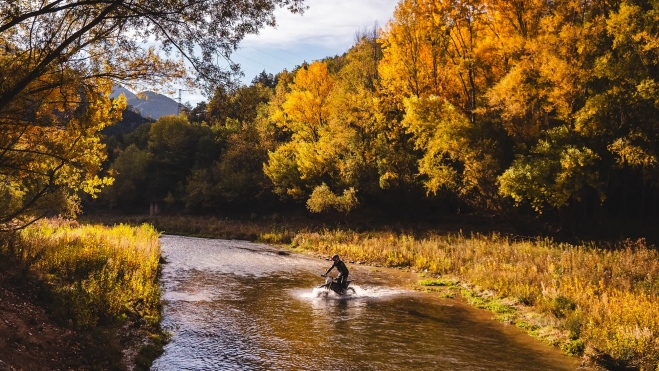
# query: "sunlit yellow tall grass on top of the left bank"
[[95, 274]]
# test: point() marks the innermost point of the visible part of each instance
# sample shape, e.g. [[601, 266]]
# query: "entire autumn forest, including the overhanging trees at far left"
[[541, 111]]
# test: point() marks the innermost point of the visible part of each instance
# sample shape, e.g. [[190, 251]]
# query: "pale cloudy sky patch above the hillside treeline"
[[327, 28]]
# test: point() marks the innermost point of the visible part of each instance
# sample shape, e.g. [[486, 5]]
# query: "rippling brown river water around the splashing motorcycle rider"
[[234, 305]]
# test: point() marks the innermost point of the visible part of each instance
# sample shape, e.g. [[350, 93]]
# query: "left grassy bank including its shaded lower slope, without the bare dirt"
[[94, 279]]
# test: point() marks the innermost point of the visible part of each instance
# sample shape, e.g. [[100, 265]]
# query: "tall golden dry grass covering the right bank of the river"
[[601, 300]]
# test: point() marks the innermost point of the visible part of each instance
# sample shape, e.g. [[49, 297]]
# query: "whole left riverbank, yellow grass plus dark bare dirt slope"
[[79, 297]]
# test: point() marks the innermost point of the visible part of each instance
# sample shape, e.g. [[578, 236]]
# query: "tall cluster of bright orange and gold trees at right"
[[541, 101]]
